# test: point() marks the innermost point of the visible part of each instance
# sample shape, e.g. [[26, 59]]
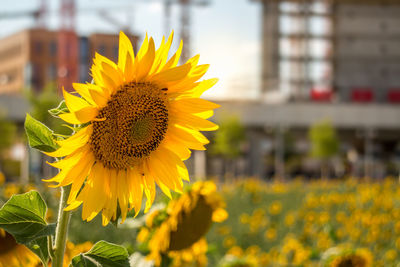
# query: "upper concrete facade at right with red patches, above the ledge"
[[332, 50]]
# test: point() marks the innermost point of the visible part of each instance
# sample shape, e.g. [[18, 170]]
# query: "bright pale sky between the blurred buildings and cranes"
[[226, 34]]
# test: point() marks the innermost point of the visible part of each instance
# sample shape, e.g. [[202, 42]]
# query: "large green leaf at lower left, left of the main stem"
[[23, 216]]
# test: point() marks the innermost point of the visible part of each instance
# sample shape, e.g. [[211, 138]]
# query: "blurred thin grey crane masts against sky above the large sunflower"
[[185, 8]]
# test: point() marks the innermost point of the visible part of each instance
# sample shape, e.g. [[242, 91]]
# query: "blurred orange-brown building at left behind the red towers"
[[30, 59]]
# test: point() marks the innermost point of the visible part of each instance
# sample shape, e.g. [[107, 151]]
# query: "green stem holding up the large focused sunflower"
[[62, 228]]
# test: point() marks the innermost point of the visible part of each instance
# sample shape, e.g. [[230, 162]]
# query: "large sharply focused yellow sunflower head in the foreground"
[[138, 121]]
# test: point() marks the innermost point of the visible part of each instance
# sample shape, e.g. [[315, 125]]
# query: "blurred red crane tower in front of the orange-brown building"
[[68, 57]]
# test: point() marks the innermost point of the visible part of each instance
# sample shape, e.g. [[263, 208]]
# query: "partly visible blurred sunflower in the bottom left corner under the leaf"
[[13, 254]]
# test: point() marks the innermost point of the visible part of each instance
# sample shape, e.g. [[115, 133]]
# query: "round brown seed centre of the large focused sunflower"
[[136, 120]]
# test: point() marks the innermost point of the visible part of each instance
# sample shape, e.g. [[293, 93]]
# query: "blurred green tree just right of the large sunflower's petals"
[[228, 138]]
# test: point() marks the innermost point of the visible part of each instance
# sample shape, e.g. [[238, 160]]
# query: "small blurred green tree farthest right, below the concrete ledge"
[[324, 140]]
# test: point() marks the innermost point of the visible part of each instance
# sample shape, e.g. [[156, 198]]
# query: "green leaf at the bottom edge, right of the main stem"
[[102, 254]]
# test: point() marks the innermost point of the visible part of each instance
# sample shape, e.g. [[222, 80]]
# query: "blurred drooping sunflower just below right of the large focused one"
[[180, 234]]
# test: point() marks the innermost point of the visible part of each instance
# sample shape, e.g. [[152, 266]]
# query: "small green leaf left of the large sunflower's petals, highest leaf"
[[39, 136]]
